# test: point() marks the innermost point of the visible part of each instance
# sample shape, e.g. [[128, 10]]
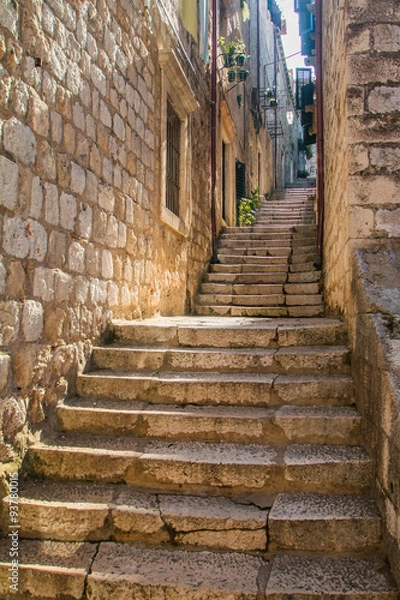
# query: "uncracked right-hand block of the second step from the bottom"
[[324, 523]]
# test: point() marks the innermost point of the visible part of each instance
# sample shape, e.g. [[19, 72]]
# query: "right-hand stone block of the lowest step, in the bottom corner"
[[326, 578]]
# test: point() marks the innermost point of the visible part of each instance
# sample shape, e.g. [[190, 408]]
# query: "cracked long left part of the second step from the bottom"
[[92, 512]]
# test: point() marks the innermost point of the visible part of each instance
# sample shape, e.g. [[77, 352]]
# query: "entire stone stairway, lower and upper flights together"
[[211, 457]]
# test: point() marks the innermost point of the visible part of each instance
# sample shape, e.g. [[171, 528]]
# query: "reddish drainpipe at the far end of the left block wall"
[[213, 165]]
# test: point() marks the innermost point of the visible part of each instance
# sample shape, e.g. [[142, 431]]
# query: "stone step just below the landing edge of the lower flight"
[[300, 360]]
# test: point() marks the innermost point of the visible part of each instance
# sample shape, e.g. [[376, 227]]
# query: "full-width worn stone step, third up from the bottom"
[[204, 468]]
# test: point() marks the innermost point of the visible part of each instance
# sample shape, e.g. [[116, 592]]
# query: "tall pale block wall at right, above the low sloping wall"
[[361, 41]]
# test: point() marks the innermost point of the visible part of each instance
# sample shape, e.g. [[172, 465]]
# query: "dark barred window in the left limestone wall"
[[173, 160]]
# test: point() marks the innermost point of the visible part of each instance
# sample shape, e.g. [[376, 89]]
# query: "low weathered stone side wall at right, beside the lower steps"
[[376, 361]]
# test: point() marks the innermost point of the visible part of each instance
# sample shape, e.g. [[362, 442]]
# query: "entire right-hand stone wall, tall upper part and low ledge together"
[[362, 221]]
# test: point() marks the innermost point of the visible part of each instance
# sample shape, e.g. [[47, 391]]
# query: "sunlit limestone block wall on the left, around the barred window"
[[81, 233]]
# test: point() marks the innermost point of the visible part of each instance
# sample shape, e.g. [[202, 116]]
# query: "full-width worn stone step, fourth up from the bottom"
[[283, 425]]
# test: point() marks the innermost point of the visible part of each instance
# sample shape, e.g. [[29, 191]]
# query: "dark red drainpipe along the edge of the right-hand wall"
[[320, 132]]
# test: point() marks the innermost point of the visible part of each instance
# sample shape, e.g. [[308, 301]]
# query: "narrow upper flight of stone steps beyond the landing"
[[268, 269]]
